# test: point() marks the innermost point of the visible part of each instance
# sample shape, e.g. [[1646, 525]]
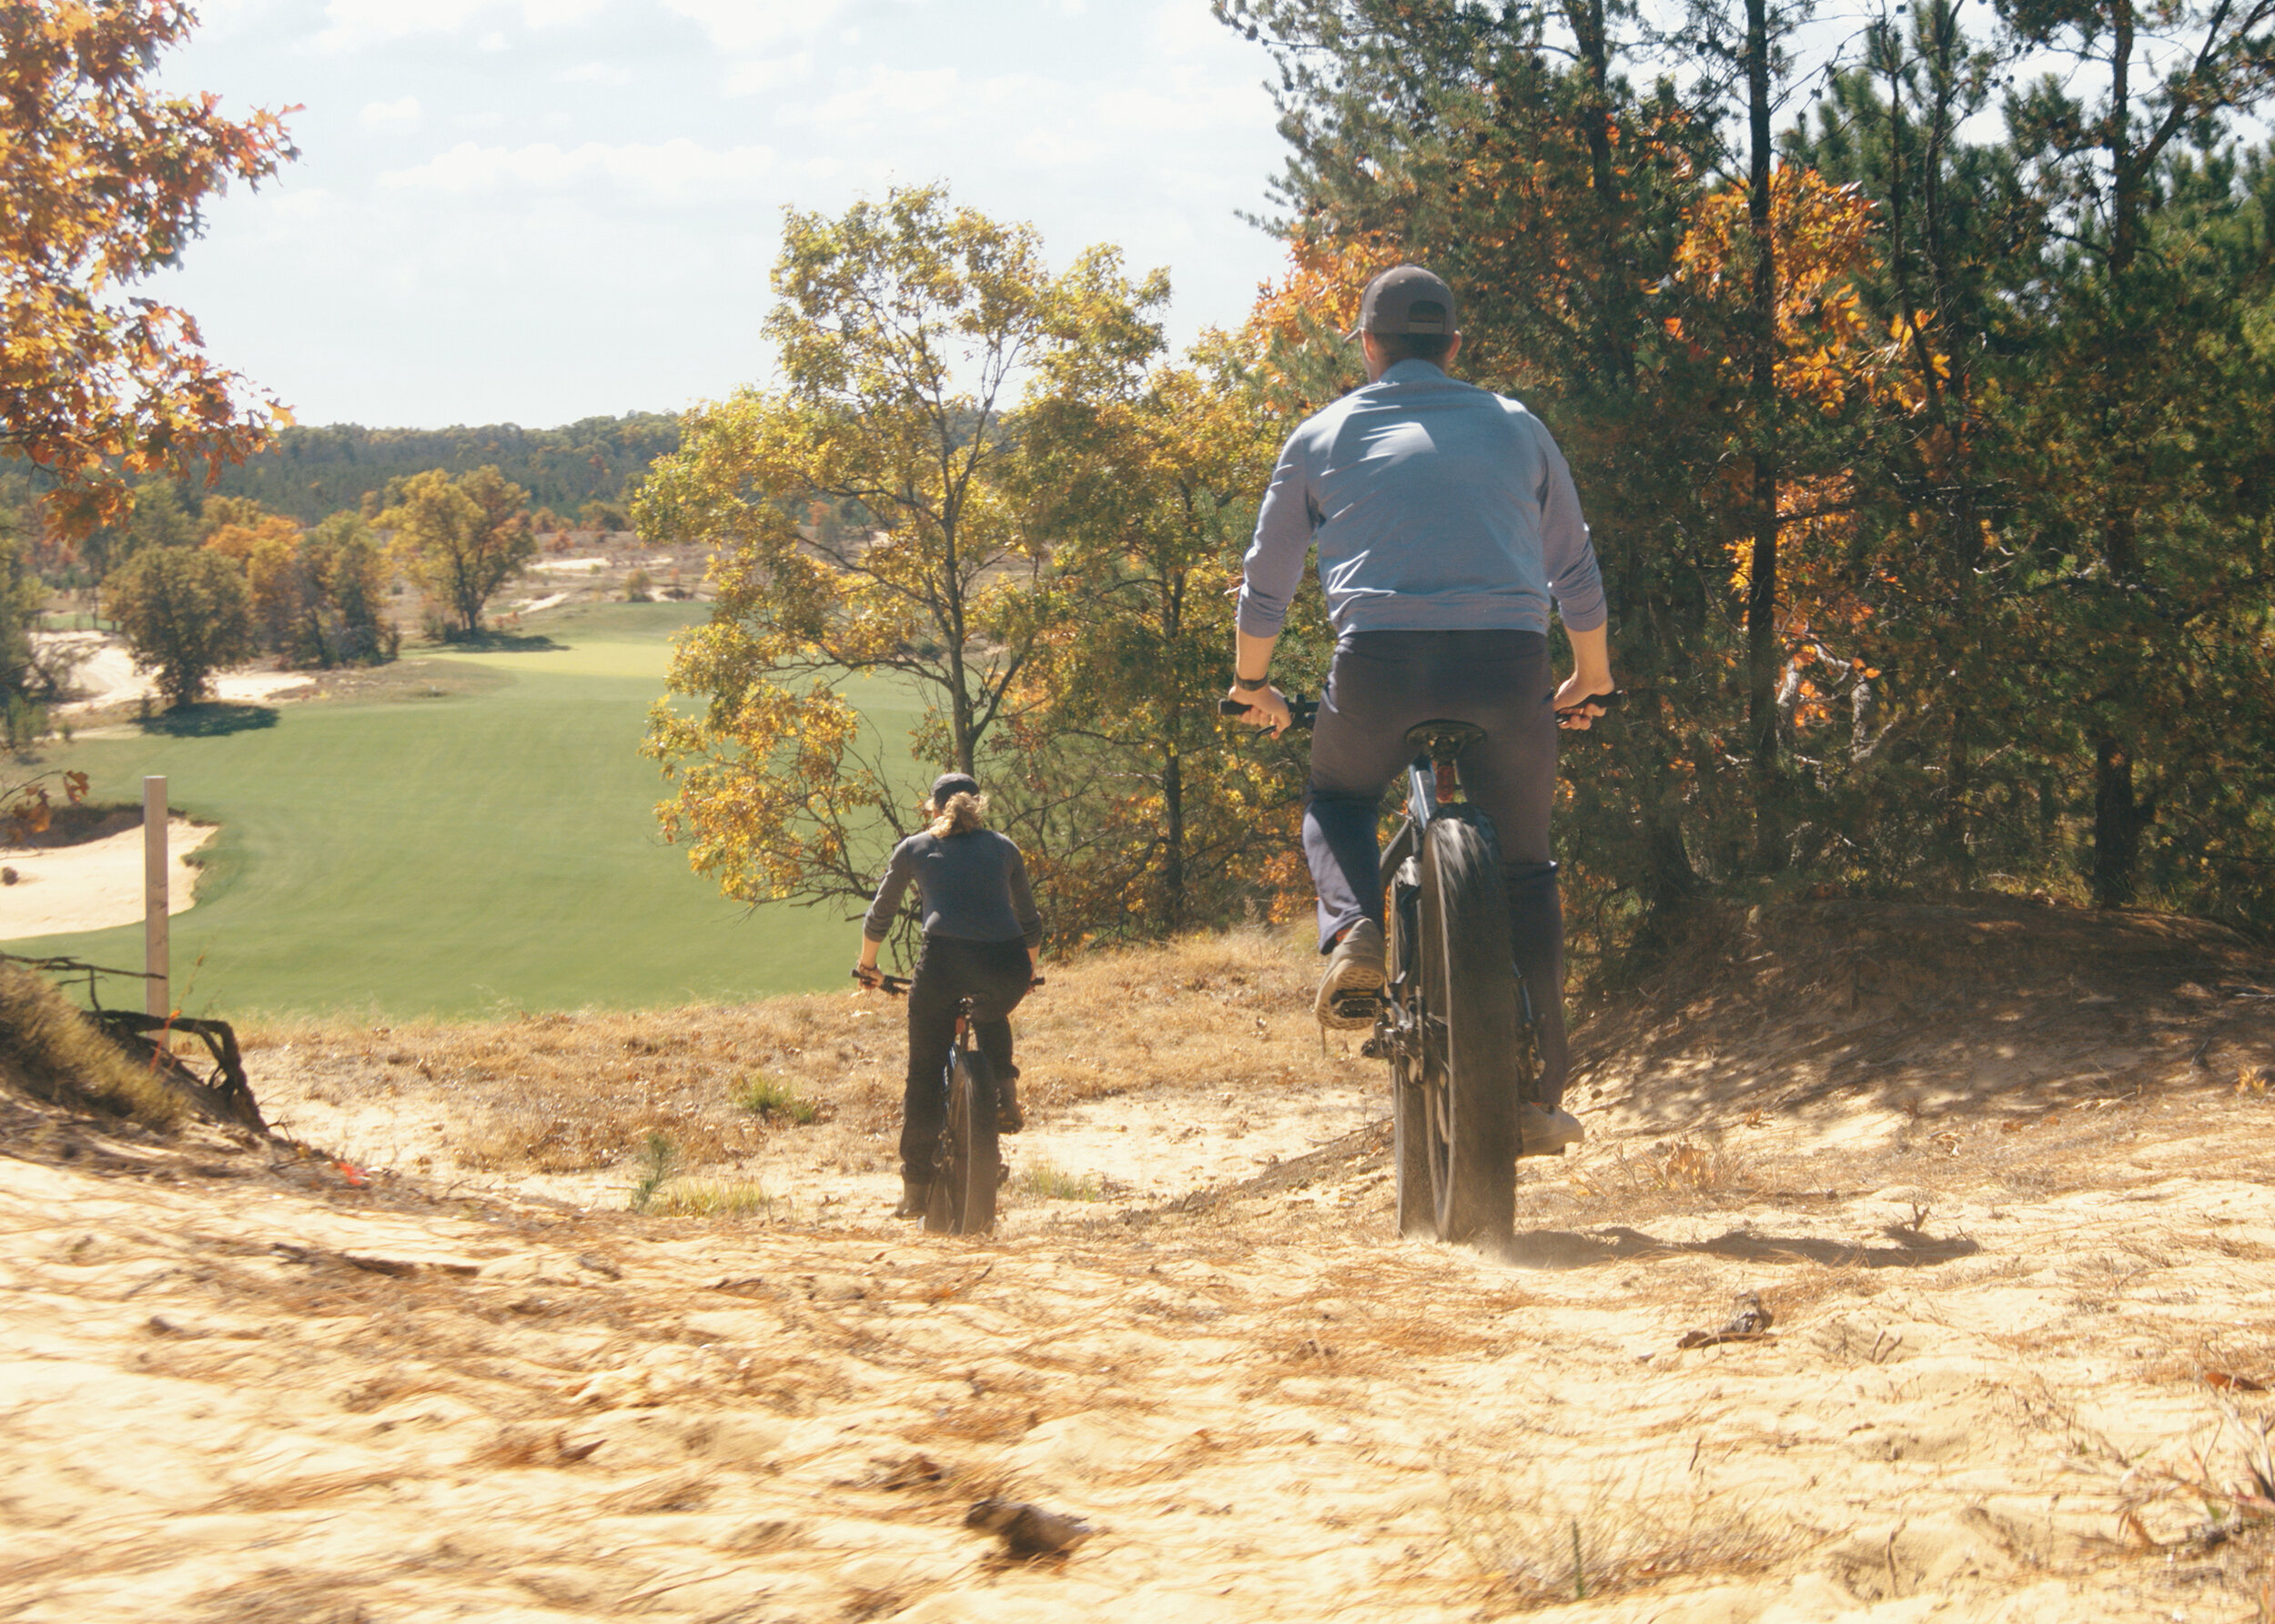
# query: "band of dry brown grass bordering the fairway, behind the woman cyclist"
[[581, 1093]]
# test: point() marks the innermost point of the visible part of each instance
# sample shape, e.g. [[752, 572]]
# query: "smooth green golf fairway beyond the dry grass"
[[463, 854]]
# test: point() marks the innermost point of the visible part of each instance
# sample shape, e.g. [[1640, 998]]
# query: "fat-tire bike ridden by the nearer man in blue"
[[1459, 1025]]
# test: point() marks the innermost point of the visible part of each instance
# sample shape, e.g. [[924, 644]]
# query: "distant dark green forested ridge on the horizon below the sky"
[[315, 472]]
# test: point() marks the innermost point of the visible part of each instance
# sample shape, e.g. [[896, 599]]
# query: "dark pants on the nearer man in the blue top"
[[1384, 683]]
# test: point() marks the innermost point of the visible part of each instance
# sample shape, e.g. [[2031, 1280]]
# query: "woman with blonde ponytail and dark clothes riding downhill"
[[982, 934]]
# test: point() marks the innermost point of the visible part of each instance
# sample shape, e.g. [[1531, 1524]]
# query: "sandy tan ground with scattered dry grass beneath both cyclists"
[[2017, 1366]]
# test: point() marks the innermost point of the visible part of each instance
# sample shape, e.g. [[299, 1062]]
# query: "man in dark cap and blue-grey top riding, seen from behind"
[[1446, 524]]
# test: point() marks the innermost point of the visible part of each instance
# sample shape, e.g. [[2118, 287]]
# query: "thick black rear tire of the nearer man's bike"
[[1469, 986]]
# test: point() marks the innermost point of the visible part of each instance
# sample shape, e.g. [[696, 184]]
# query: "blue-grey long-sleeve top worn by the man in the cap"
[[1434, 504]]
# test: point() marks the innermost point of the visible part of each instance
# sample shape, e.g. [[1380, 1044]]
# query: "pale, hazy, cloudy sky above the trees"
[[543, 210]]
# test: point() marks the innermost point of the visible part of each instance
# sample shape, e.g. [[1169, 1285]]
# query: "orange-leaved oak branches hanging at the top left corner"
[[101, 183]]
